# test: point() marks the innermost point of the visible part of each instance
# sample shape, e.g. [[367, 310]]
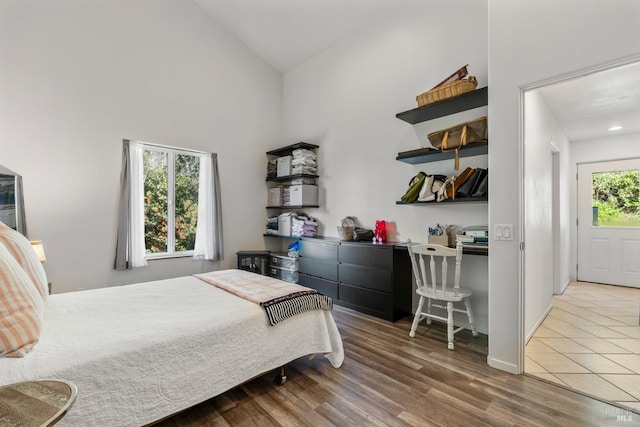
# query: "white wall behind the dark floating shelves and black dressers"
[[346, 99]]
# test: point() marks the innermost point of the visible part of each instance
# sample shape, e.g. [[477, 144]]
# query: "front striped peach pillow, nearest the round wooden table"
[[21, 308]]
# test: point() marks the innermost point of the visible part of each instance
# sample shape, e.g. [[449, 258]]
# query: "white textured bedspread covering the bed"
[[140, 352]]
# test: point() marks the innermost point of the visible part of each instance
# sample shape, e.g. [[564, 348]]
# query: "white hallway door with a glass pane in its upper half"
[[609, 222]]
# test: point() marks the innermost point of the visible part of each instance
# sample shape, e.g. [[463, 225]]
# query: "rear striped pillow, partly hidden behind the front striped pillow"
[[21, 249]]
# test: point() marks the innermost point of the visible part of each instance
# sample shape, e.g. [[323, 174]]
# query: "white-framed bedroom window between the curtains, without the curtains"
[[170, 201]]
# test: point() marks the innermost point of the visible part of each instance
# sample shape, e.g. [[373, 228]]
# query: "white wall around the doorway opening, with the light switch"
[[530, 42]]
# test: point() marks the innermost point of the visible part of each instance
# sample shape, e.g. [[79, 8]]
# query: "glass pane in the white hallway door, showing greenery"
[[615, 198]]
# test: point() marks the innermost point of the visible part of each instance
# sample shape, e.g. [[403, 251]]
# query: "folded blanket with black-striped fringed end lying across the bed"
[[280, 299]]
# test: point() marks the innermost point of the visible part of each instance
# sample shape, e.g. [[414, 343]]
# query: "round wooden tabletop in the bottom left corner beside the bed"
[[35, 403]]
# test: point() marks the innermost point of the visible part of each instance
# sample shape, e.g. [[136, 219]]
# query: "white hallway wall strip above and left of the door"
[[595, 150]]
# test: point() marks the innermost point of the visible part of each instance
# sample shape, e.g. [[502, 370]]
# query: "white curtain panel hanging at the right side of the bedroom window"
[[209, 230]]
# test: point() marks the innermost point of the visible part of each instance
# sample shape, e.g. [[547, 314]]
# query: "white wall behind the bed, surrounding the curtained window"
[[79, 76]]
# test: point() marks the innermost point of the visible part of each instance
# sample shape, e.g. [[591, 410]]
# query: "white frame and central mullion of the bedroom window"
[[171, 152]]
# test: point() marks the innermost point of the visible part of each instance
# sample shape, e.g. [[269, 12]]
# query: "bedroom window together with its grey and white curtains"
[[169, 205]]
